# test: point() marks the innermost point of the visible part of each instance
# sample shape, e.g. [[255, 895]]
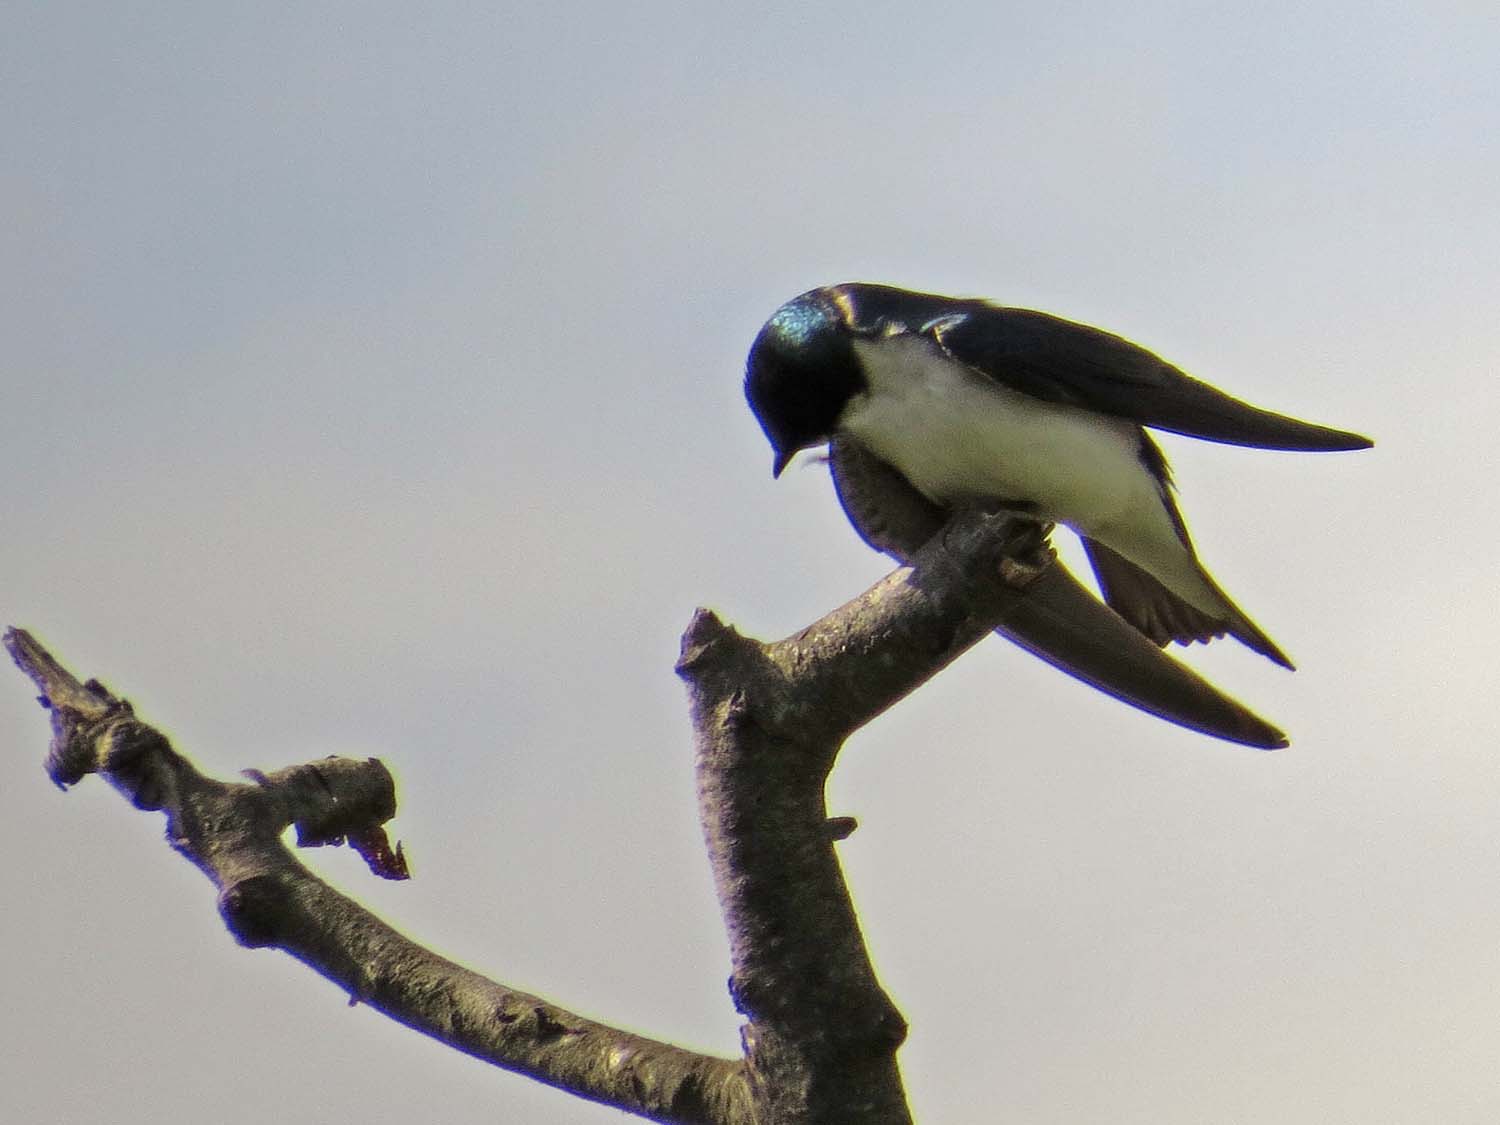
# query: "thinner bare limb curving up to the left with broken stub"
[[269, 899]]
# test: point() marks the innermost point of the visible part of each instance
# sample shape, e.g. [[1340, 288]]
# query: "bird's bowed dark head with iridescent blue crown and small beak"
[[802, 374]]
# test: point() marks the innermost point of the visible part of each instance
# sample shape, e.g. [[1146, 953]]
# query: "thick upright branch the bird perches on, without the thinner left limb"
[[770, 721]]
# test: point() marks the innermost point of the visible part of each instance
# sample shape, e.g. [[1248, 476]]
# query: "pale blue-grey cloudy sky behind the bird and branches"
[[373, 386]]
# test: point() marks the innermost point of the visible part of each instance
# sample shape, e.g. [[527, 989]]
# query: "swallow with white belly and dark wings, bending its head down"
[[932, 404]]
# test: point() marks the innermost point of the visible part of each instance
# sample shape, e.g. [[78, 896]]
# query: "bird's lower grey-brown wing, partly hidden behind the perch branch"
[[1055, 619]]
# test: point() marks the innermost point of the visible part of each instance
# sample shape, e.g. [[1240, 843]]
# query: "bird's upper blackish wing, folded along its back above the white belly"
[[1060, 361]]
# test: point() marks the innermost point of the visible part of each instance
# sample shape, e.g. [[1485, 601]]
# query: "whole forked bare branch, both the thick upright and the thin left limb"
[[769, 718]]
